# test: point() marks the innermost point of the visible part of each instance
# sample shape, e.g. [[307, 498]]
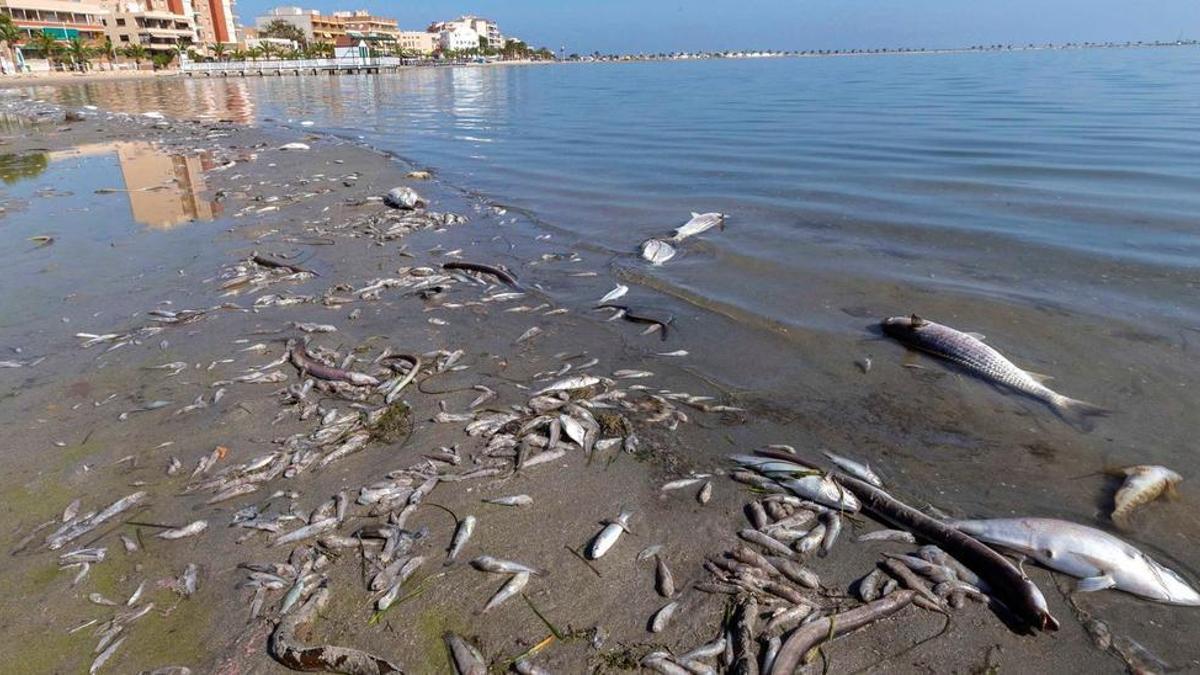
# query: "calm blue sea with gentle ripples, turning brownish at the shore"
[[1043, 199]]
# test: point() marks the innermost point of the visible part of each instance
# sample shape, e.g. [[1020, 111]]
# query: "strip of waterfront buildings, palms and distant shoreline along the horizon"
[[116, 35]]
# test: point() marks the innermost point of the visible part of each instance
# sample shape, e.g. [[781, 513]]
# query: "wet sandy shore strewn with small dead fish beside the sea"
[[273, 452]]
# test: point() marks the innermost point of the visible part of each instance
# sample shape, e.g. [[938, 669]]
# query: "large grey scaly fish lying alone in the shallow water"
[[973, 355]]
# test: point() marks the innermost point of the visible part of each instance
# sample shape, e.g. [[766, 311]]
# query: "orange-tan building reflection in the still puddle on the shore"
[[165, 189]]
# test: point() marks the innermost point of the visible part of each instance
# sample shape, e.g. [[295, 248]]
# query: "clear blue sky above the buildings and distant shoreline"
[[667, 26]]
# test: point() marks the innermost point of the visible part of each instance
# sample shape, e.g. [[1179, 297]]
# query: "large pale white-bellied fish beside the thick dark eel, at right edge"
[[1097, 559]]
